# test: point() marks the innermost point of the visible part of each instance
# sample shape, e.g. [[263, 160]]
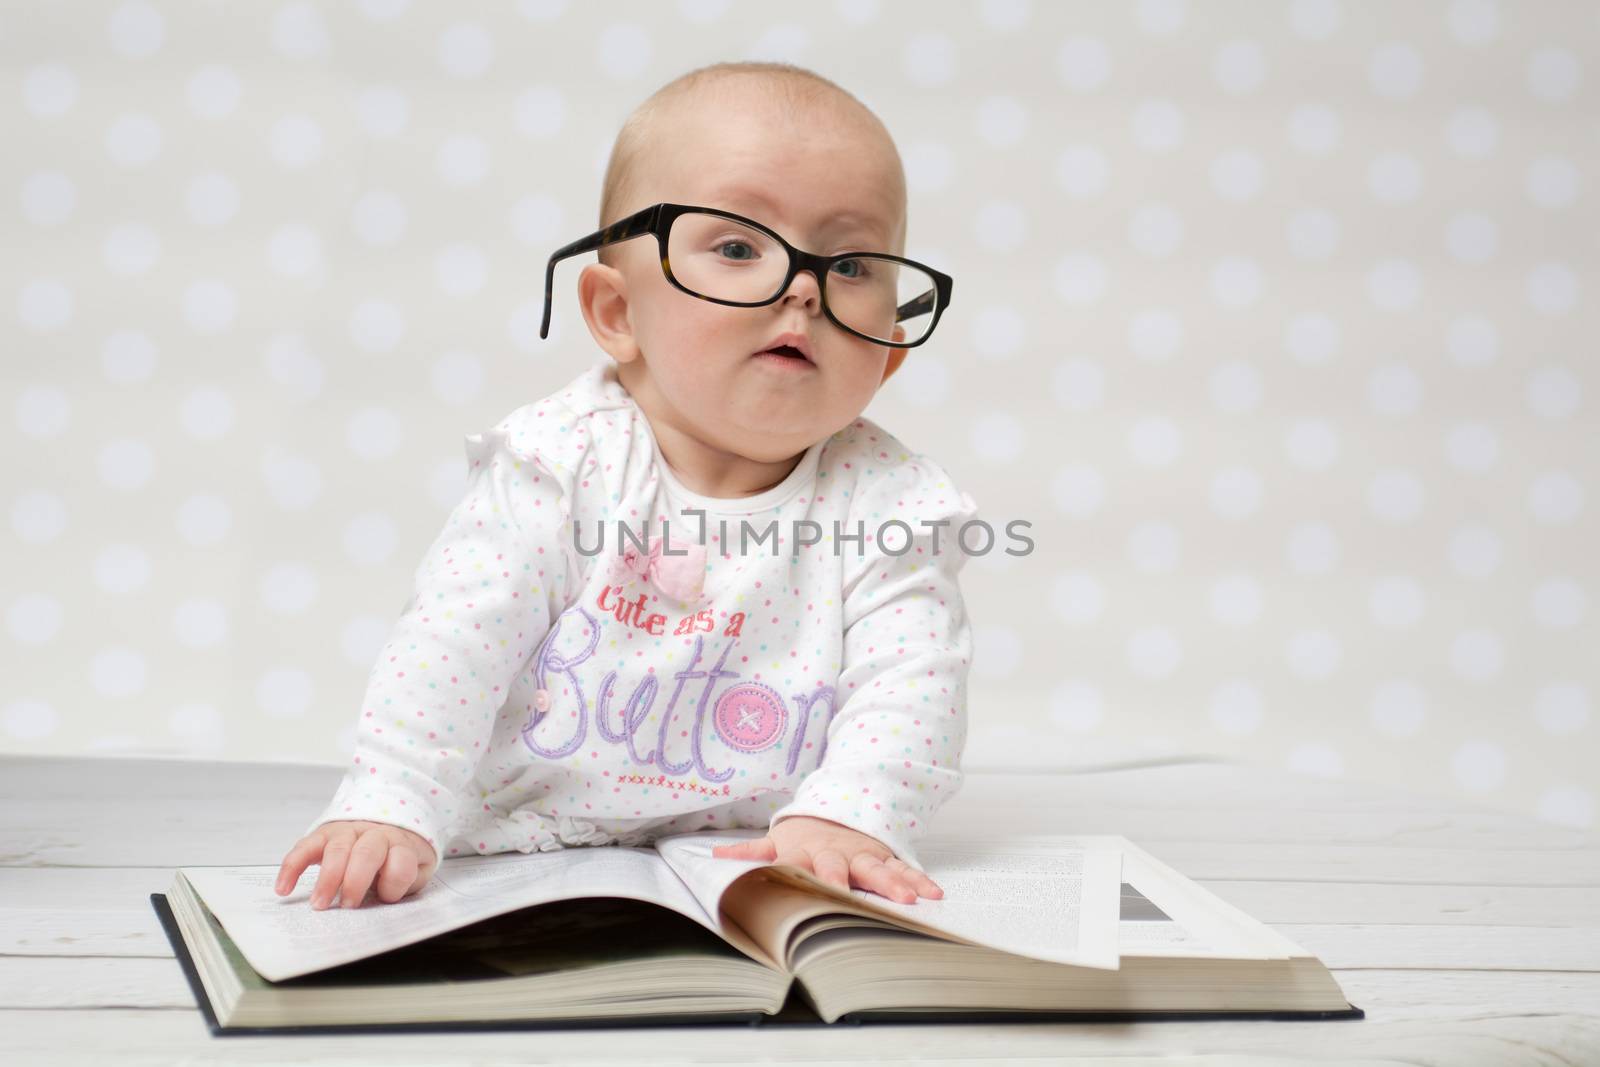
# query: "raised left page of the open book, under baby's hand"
[[286, 938]]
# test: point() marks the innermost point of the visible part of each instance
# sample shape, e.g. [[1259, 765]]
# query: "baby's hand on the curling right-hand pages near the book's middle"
[[839, 855]]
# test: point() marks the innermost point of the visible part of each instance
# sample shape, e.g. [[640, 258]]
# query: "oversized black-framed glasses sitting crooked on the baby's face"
[[730, 260]]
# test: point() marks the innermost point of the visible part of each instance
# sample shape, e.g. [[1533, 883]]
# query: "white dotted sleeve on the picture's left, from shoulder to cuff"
[[484, 597]]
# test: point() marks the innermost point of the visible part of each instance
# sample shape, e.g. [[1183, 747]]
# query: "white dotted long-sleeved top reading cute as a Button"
[[542, 690]]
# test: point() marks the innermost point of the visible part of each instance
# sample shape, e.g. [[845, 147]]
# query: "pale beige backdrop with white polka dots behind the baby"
[[1271, 319]]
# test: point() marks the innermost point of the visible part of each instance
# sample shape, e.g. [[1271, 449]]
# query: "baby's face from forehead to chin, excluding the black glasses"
[[826, 183]]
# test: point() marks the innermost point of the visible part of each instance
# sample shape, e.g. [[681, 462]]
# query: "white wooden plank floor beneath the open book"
[[1468, 937]]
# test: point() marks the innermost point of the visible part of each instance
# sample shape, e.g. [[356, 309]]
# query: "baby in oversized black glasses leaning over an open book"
[[777, 637]]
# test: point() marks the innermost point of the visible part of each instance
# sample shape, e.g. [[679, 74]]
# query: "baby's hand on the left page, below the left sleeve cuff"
[[351, 857]]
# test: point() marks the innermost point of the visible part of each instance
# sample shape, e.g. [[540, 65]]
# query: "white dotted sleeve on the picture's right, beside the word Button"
[[895, 745]]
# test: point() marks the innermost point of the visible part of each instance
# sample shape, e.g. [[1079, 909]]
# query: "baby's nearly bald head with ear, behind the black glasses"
[[788, 150]]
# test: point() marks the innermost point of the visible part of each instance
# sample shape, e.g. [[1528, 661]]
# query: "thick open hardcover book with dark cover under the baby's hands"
[[1086, 927]]
